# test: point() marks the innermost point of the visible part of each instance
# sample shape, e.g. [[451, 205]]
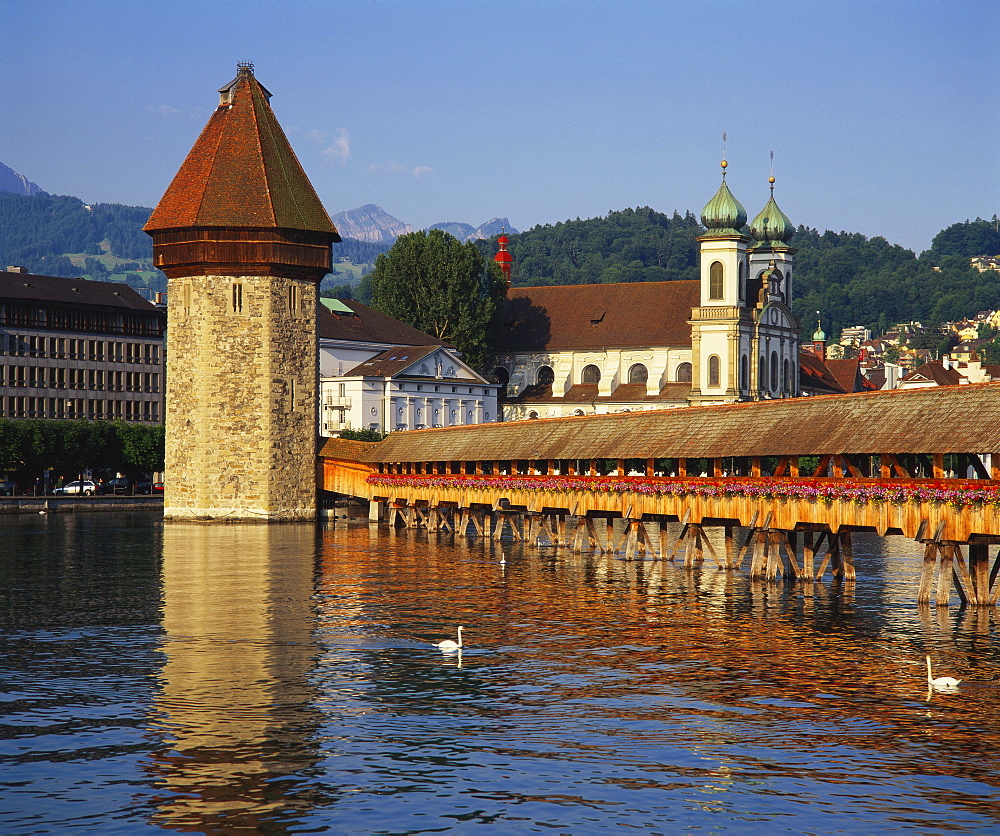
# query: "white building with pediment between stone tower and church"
[[378, 373]]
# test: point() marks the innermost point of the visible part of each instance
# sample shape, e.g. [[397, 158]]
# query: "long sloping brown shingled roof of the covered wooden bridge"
[[943, 419]]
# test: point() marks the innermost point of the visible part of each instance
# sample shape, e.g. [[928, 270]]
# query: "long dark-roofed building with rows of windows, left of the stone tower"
[[71, 348]]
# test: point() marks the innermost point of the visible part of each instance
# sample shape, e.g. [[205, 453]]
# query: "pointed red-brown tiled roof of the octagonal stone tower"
[[242, 172]]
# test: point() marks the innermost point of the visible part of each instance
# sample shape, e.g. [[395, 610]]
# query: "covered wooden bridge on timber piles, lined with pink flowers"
[[801, 474]]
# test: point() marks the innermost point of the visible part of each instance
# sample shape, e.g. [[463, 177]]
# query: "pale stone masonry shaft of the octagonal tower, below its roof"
[[241, 398]]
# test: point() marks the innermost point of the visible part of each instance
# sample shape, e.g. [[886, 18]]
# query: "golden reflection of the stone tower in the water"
[[233, 708]]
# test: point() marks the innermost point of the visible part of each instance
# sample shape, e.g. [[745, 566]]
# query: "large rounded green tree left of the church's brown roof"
[[445, 288]]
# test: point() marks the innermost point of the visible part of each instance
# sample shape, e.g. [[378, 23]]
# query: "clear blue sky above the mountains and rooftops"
[[882, 116]]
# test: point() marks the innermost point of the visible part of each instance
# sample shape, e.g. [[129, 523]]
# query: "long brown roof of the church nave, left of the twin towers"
[[598, 316]]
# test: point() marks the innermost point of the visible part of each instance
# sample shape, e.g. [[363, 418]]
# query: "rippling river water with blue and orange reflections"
[[282, 679]]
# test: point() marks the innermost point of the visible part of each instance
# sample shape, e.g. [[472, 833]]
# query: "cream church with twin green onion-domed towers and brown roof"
[[730, 336]]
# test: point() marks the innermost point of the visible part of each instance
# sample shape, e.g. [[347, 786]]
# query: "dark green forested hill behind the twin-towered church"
[[849, 278]]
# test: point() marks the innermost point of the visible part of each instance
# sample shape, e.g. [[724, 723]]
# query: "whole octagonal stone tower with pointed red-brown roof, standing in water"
[[244, 242]]
